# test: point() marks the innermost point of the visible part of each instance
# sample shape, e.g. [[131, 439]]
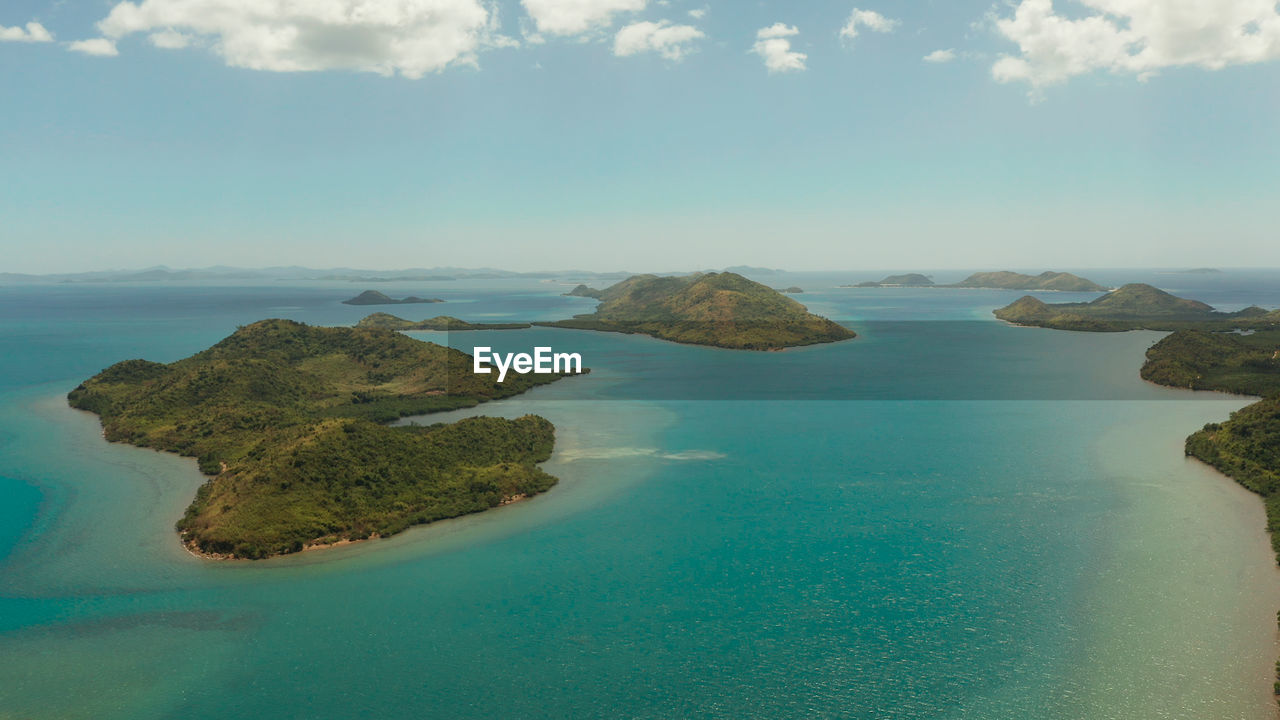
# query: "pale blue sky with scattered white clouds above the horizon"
[[648, 135]]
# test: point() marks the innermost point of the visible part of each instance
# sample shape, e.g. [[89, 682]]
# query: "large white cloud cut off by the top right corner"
[[1136, 37]]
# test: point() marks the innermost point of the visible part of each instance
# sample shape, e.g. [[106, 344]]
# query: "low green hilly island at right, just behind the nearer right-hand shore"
[[1133, 307]]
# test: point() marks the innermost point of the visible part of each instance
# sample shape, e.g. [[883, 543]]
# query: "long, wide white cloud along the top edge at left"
[[412, 38]]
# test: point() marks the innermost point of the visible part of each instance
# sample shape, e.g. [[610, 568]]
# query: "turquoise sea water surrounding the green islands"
[[947, 518]]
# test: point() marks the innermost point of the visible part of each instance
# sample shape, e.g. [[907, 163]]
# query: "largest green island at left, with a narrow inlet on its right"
[[290, 423]]
